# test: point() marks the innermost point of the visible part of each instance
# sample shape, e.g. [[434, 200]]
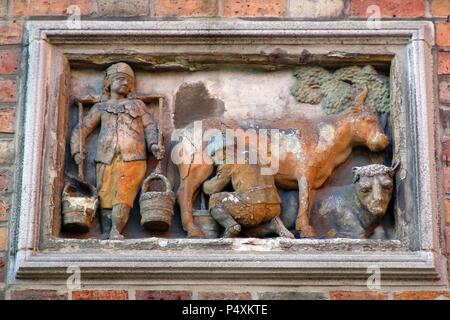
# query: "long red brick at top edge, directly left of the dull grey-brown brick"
[[50, 7]]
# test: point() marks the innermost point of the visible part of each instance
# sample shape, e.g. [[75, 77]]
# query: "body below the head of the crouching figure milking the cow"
[[255, 204]]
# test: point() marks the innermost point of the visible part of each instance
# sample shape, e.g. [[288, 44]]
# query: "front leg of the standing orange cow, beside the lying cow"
[[306, 194]]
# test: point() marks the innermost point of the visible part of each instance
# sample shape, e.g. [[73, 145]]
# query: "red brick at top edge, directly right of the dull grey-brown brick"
[[181, 8]]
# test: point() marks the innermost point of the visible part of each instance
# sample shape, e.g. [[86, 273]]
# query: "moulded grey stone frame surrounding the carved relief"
[[51, 46]]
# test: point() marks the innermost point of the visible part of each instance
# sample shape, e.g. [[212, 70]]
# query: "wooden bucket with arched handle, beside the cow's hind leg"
[[156, 206]]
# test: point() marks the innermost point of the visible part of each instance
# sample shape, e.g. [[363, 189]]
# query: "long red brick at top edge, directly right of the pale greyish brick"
[[389, 8]]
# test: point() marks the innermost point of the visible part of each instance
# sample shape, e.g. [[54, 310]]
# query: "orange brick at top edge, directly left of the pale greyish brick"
[[253, 8]]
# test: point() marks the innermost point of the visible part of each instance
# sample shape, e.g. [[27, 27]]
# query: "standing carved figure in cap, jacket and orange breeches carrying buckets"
[[127, 132]]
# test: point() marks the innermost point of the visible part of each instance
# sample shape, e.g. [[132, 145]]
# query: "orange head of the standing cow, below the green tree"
[[365, 128]]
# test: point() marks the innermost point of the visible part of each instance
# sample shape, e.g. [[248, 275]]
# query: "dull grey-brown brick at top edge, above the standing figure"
[[122, 8]]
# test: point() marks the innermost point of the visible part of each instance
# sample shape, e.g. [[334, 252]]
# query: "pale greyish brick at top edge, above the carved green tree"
[[316, 8]]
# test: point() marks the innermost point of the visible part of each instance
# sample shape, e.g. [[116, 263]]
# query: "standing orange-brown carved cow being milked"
[[310, 150]]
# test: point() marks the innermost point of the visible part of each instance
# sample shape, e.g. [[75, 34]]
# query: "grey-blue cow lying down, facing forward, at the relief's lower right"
[[355, 211]]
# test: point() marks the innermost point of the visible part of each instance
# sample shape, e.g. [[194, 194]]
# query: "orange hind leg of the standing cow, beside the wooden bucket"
[[191, 178]]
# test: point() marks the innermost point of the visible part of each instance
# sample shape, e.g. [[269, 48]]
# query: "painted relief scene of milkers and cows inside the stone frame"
[[300, 152]]
